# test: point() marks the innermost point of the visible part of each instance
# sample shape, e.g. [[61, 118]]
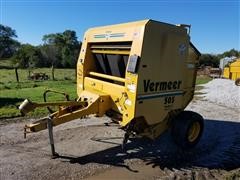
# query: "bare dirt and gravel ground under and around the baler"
[[89, 149]]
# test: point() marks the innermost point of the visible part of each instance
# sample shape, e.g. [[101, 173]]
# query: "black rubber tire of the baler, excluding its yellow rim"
[[181, 125]]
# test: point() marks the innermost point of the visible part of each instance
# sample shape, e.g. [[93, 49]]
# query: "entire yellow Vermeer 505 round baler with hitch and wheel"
[[144, 72]]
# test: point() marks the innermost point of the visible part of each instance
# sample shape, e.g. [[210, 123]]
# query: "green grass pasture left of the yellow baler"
[[13, 93]]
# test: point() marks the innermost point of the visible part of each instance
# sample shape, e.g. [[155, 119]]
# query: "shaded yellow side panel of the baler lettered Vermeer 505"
[[164, 70]]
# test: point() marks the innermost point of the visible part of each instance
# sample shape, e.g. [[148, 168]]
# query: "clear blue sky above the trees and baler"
[[215, 23]]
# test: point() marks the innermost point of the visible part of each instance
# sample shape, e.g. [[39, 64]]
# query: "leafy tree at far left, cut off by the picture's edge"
[[8, 45]]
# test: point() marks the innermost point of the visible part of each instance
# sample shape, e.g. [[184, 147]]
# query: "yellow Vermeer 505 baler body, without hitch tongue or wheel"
[[158, 79]]
